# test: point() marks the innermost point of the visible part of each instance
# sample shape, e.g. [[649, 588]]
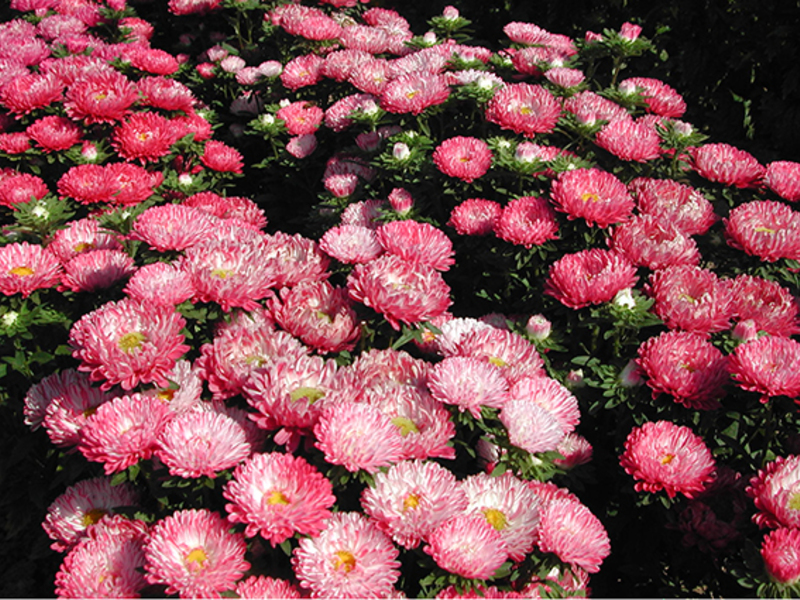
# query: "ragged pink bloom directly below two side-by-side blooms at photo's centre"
[[401, 291]]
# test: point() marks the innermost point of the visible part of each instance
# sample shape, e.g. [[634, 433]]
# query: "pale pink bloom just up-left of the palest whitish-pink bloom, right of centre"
[[469, 383]]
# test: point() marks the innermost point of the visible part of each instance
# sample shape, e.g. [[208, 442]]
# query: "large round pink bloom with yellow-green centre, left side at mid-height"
[[127, 343]]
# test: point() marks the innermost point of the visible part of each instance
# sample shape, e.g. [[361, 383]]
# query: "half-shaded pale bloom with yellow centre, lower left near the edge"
[[81, 506]]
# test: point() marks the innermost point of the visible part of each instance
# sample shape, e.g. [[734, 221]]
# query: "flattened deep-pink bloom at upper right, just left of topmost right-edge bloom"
[[727, 165]]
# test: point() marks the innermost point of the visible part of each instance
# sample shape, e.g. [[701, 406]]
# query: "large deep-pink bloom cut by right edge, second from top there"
[[767, 229]]
